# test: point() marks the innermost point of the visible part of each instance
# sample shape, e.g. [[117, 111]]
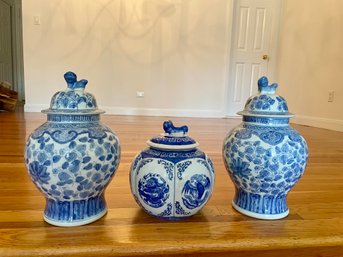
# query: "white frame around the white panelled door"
[[275, 36]]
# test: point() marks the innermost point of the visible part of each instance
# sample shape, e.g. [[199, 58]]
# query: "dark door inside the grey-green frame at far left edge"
[[6, 65]]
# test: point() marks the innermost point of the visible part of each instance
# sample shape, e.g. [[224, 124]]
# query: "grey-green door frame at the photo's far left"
[[17, 47]]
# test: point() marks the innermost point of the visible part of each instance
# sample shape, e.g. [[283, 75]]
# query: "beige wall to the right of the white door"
[[310, 61]]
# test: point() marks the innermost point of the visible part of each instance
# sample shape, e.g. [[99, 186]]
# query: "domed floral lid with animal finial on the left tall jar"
[[73, 100]]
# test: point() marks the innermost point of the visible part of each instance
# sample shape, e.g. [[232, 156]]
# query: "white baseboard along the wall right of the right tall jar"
[[318, 122]]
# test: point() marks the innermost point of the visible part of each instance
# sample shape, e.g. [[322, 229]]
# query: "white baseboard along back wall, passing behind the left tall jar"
[[145, 111]]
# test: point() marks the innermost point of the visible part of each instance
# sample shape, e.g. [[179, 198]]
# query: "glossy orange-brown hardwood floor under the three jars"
[[313, 228]]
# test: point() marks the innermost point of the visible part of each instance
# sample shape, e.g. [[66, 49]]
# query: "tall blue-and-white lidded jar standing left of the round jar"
[[72, 157]]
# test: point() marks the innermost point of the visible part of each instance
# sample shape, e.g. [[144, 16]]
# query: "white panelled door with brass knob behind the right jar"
[[253, 48]]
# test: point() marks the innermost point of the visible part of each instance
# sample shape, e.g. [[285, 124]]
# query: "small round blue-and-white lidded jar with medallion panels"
[[172, 179]]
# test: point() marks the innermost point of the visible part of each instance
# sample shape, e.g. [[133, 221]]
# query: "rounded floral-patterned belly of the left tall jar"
[[77, 167]]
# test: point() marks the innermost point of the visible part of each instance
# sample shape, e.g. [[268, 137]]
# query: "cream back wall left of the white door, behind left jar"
[[173, 50]]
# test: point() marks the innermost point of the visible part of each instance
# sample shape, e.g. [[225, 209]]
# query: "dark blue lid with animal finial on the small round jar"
[[173, 138]]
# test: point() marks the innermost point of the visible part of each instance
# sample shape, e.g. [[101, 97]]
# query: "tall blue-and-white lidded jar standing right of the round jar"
[[264, 156]]
